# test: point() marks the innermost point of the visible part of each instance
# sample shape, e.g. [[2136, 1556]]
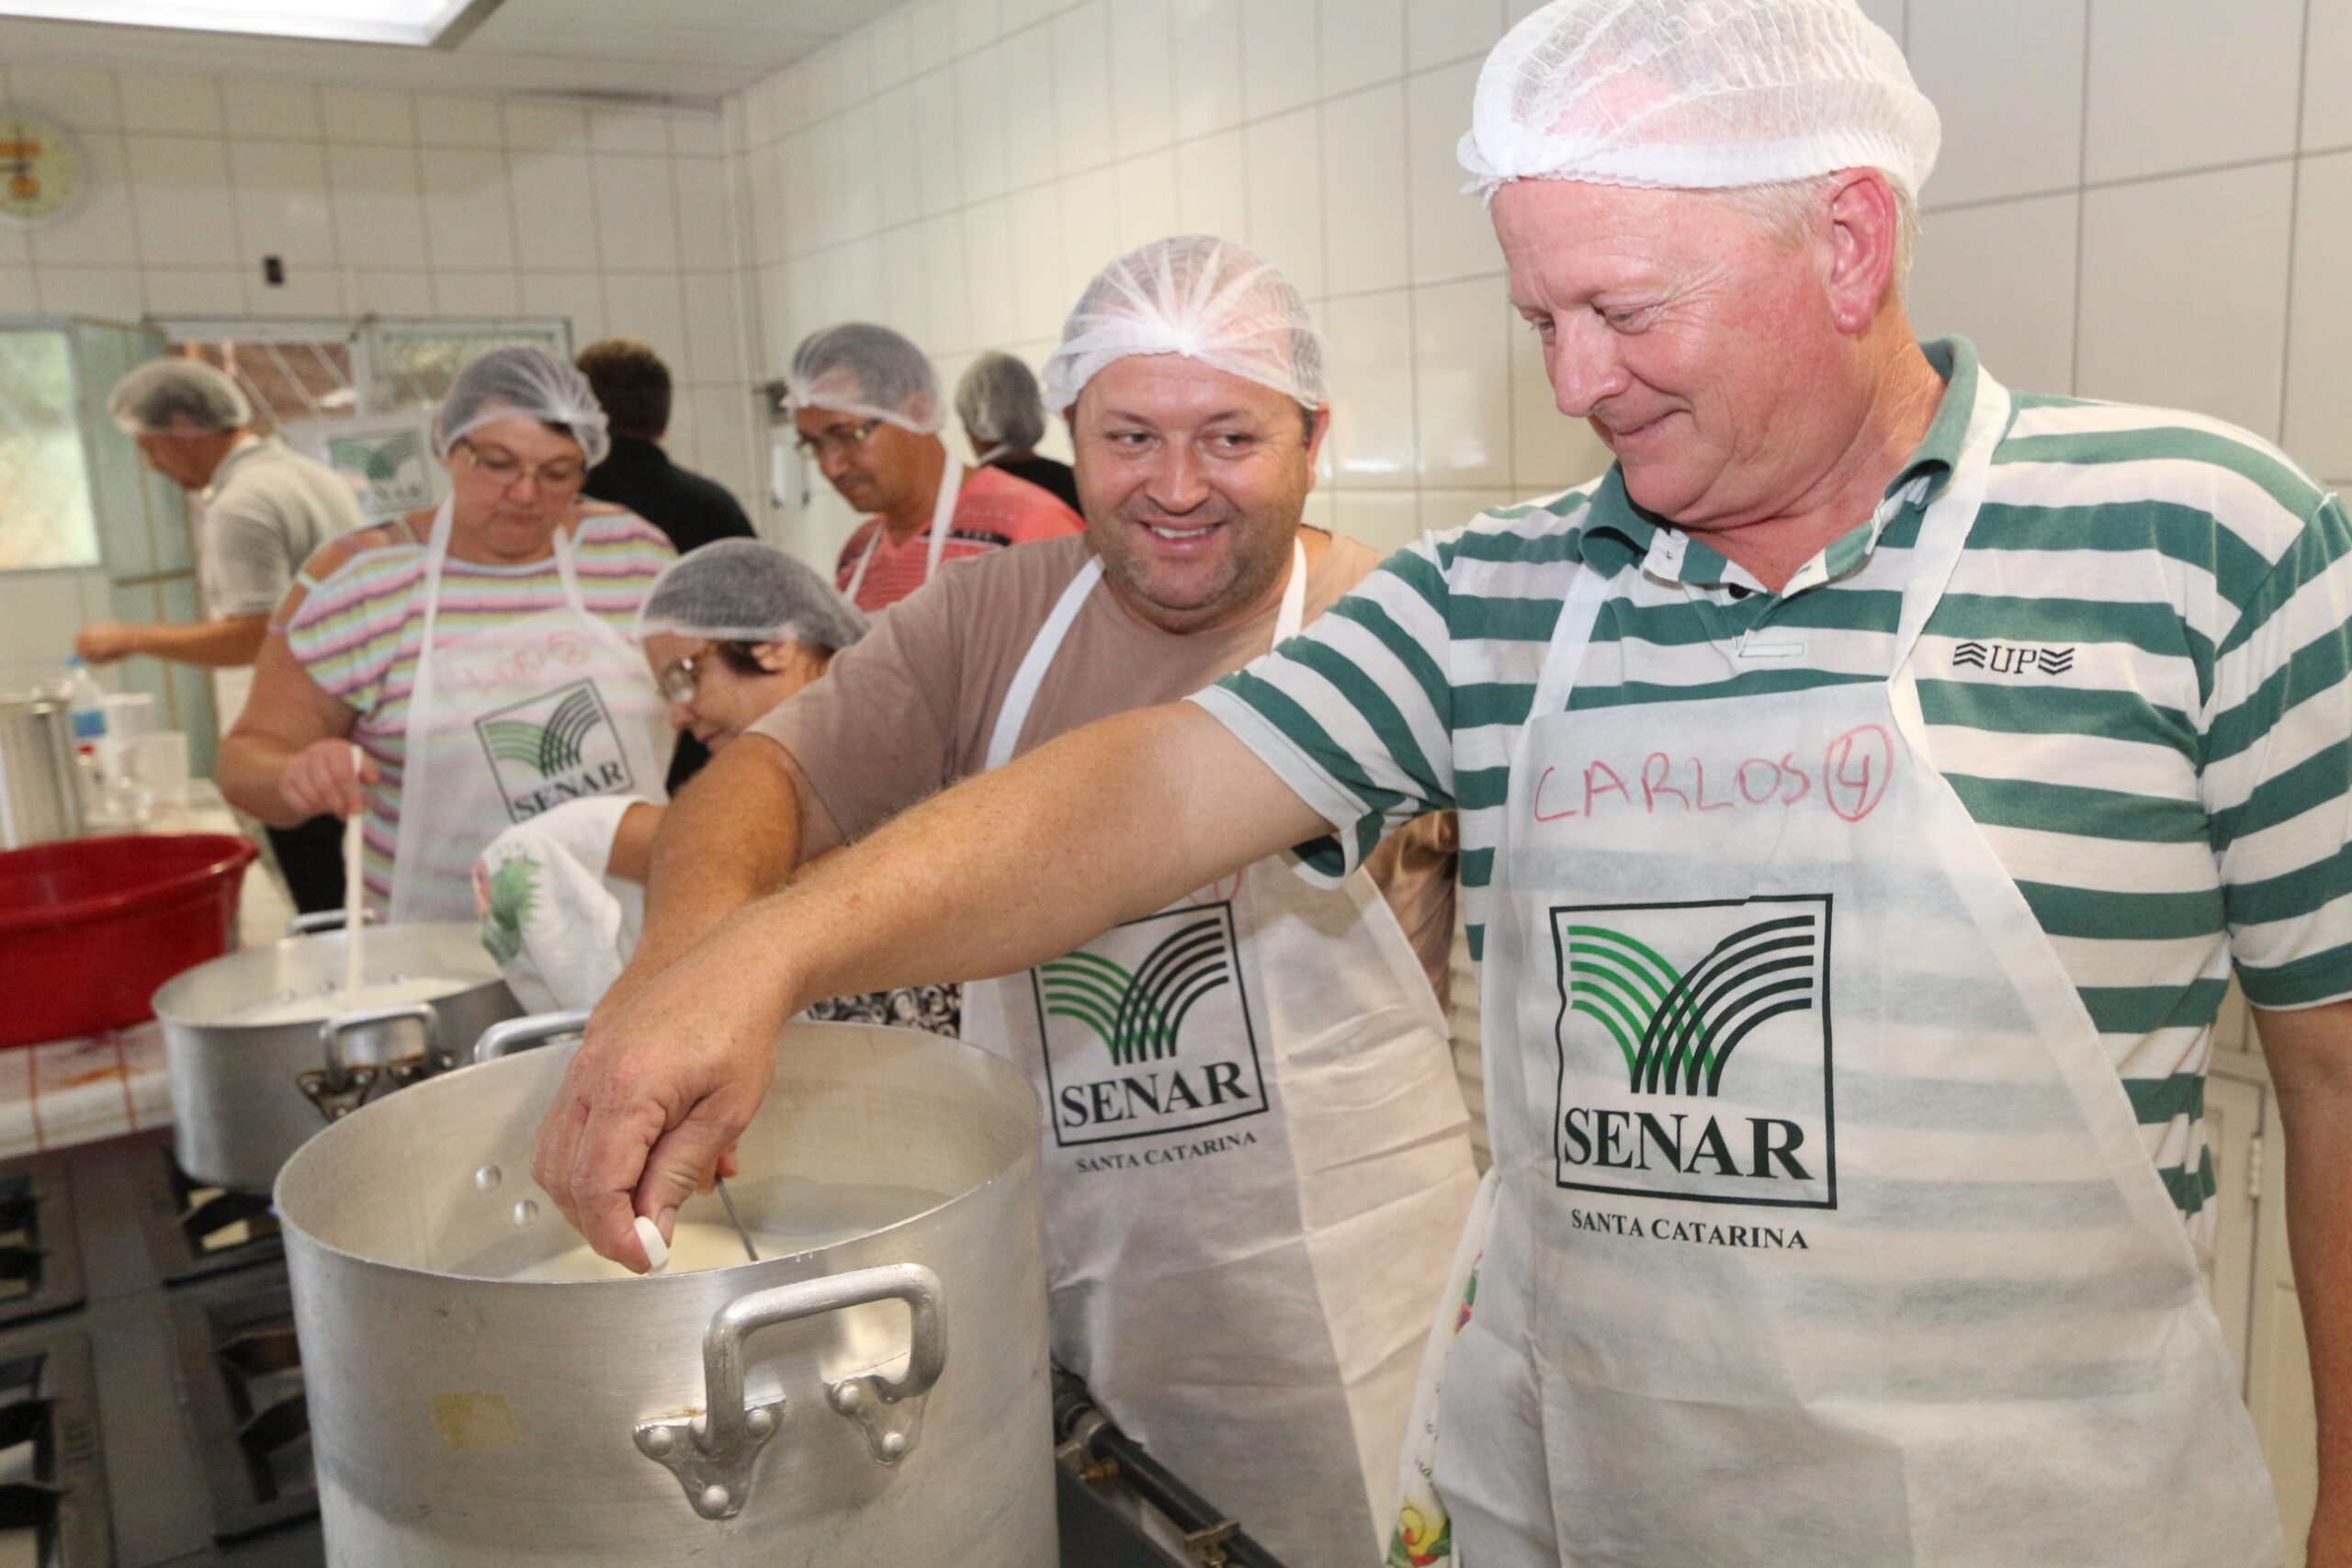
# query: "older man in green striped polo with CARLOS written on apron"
[[1869, 789]]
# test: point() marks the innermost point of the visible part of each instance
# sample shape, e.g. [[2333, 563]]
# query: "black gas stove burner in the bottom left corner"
[[53, 1482]]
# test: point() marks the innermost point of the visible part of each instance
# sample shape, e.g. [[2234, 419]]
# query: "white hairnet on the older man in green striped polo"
[[1697, 95]]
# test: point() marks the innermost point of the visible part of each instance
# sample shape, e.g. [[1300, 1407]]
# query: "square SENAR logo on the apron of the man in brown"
[[1147, 1031]]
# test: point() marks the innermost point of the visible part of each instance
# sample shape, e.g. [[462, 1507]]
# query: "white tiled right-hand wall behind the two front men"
[[2132, 203]]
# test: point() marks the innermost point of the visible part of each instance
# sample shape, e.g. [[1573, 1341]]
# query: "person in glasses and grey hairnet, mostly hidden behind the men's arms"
[[730, 631]]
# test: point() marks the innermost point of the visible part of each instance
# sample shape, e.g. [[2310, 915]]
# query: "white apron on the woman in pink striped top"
[[507, 723]]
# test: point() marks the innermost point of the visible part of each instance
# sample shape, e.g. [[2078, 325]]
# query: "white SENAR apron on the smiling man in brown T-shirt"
[[1257, 1162]]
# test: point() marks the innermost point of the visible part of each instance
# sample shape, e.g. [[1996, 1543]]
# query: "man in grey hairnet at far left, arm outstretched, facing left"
[[262, 511]]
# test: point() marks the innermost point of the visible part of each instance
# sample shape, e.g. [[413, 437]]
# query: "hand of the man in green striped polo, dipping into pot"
[[657, 1099]]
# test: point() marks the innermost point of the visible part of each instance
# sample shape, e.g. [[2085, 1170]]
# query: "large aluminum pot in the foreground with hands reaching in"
[[878, 1395]]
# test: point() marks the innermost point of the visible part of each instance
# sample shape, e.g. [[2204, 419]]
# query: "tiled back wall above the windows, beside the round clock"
[[399, 203]]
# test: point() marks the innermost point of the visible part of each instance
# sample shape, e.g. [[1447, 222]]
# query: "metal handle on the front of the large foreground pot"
[[711, 1454]]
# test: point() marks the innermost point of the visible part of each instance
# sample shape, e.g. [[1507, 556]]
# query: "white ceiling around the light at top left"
[[681, 51]]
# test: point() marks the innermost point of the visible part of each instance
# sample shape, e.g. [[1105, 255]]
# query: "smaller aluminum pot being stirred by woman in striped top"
[[248, 1094]]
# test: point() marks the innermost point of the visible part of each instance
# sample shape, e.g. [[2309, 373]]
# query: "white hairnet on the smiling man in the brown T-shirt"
[[1198, 297]]
